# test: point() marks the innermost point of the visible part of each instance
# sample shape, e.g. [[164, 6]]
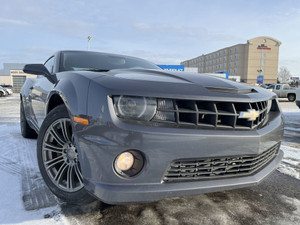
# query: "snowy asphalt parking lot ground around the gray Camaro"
[[28, 201]]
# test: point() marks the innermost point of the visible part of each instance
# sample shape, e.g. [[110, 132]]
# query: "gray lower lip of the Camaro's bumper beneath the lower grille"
[[120, 193]]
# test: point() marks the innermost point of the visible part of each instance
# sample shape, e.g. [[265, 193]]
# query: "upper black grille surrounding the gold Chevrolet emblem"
[[209, 114]]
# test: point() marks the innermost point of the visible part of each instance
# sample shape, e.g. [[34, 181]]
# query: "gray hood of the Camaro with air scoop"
[[159, 83]]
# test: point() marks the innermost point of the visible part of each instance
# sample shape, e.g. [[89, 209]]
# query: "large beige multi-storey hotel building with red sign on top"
[[259, 56]]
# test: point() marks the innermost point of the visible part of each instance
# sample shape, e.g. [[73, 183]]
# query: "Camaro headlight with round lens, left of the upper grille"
[[136, 108]]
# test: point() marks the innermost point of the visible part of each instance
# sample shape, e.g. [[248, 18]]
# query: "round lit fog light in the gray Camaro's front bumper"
[[129, 163]]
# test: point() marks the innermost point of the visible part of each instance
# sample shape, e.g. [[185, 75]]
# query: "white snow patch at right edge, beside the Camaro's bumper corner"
[[290, 164]]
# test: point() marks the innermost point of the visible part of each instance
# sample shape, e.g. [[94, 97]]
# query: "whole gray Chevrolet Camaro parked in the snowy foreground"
[[120, 129]]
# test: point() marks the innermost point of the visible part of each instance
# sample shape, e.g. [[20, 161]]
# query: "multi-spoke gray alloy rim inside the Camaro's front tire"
[[60, 156]]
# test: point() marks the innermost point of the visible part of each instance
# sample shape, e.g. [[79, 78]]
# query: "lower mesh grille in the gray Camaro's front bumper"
[[214, 168]]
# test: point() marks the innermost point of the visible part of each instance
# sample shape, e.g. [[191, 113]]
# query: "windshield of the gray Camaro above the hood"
[[75, 61]]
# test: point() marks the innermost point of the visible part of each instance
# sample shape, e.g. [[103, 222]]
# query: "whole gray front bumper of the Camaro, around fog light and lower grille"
[[103, 140]]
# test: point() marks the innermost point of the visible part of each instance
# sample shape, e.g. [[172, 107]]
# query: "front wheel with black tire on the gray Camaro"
[[58, 158]]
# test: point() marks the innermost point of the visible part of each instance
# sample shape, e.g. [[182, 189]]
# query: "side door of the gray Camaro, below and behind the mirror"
[[39, 92]]
